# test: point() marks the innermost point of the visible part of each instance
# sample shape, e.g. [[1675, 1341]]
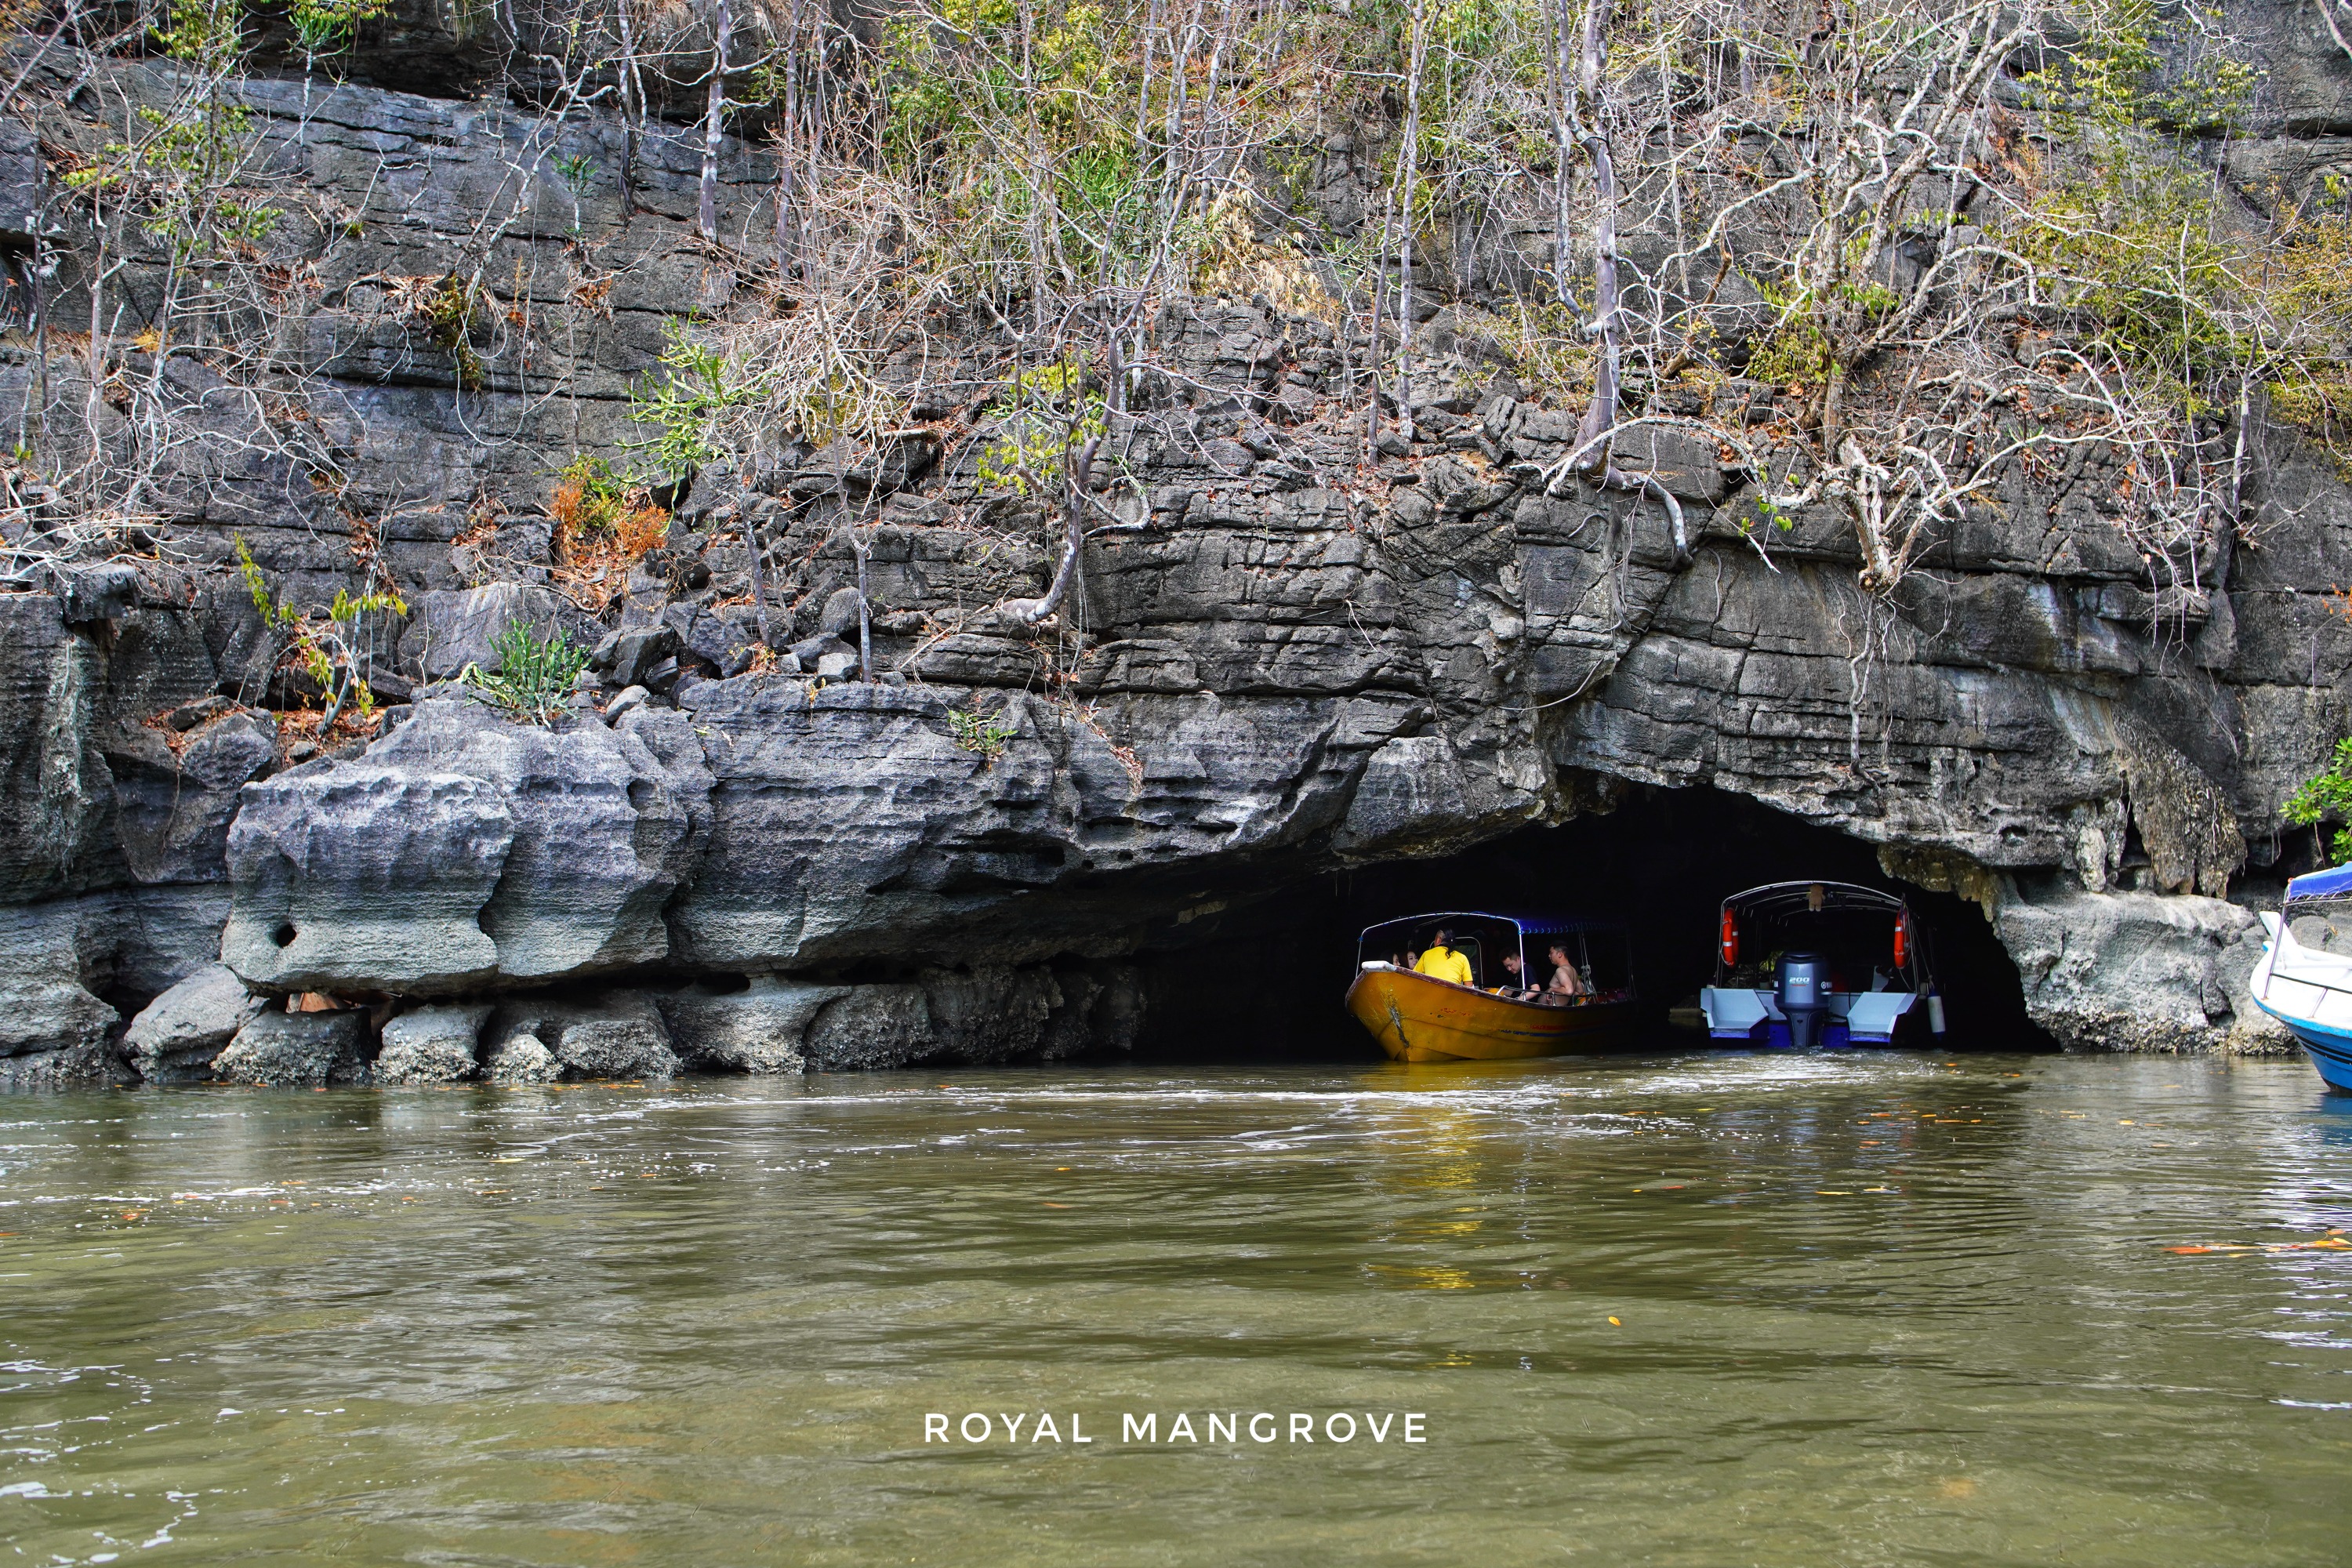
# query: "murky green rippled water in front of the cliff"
[[1683, 1311]]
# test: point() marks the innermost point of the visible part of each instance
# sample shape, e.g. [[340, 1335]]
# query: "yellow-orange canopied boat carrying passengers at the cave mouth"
[[1422, 1019]]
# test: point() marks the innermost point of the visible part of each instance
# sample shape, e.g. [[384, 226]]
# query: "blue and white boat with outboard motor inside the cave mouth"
[[1822, 965]]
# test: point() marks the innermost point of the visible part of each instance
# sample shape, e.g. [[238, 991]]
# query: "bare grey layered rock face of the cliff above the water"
[[1283, 662]]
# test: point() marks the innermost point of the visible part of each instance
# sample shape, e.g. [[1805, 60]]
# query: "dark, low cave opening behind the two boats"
[[1267, 984]]
